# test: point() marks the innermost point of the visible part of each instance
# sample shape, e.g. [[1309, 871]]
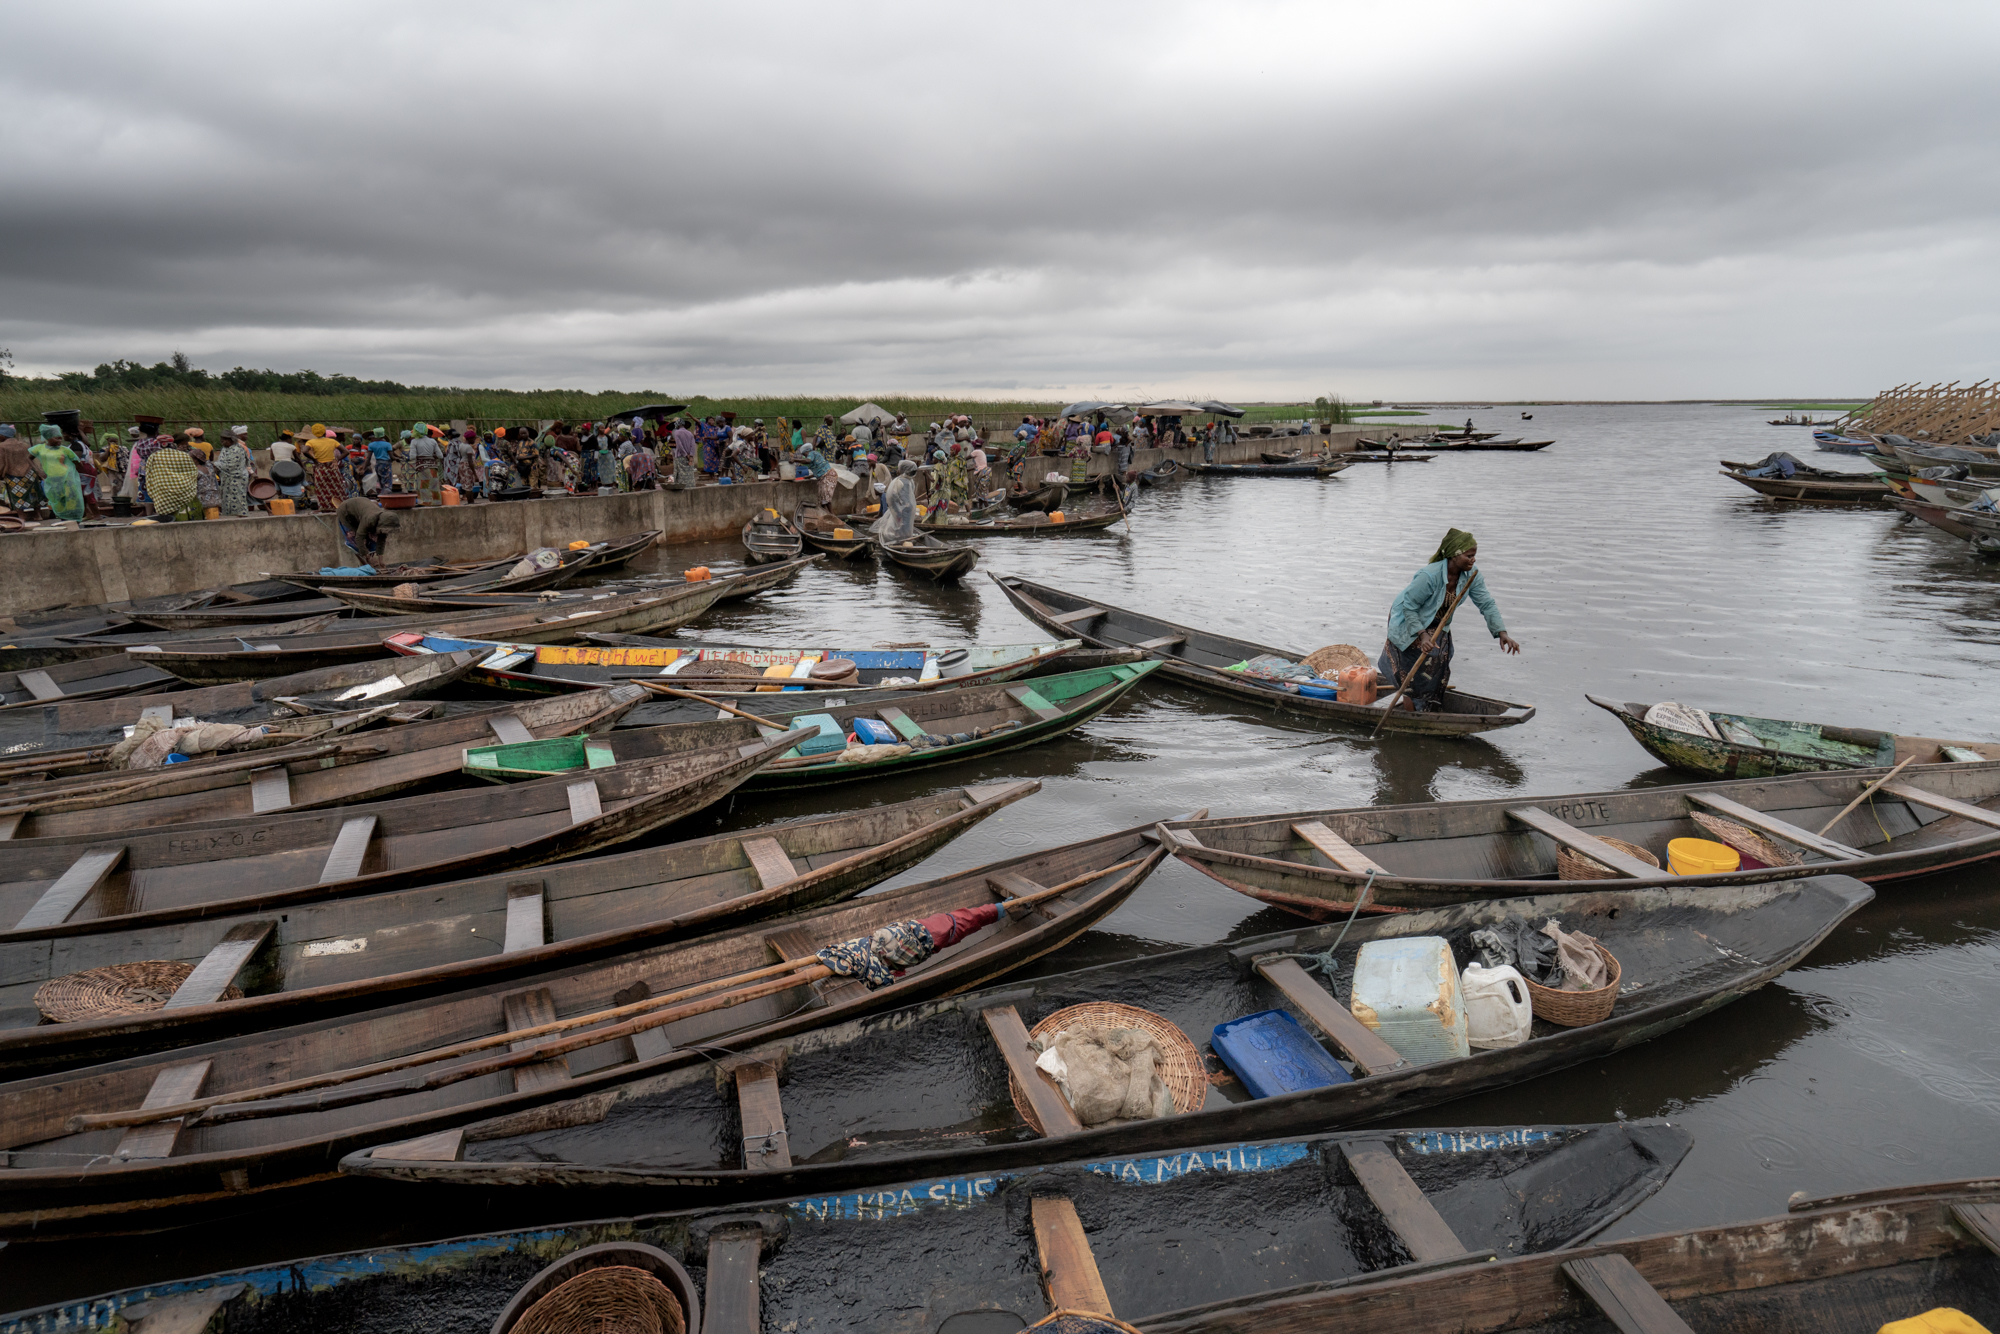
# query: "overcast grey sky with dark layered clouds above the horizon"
[[1249, 201]]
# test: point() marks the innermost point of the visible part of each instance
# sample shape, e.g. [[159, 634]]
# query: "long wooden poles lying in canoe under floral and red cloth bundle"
[[653, 1011]]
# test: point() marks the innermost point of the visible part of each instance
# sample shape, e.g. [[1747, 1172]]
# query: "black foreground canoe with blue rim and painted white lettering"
[[1221, 1223]]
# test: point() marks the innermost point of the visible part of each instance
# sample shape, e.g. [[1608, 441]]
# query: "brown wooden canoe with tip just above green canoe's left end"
[[357, 769]]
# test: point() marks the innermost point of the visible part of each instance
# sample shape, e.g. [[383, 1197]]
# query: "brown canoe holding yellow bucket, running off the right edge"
[[1447, 853]]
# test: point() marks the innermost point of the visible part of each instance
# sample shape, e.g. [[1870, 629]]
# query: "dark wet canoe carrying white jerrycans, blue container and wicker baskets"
[[937, 1077]]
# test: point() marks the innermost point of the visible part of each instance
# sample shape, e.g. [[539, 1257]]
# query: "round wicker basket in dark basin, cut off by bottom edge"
[[611, 1289]]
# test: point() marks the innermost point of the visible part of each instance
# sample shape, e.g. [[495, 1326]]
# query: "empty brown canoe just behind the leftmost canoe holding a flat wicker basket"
[[73, 887]]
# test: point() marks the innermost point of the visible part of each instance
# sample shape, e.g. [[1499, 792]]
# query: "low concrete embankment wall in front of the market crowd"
[[121, 563]]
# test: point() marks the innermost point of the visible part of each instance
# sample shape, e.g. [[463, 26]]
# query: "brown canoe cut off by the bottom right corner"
[[1847, 1265]]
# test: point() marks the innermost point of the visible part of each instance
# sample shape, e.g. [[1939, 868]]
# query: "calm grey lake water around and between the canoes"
[[1629, 569]]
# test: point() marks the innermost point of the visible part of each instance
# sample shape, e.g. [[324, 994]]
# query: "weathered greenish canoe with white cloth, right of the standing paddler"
[[1773, 747]]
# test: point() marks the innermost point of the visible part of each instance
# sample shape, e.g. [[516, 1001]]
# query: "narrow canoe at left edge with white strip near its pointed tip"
[[101, 723]]
